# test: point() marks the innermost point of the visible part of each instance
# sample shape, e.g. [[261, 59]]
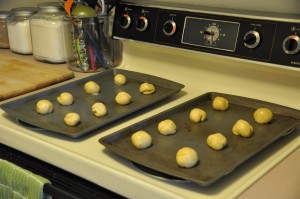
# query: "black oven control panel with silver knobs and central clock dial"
[[269, 41]]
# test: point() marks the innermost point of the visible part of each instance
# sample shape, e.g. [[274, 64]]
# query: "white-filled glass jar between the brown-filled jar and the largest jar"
[[19, 30]]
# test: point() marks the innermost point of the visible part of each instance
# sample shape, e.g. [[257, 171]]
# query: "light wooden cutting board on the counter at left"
[[18, 77]]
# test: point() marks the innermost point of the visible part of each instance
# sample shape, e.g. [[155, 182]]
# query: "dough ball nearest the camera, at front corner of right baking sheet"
[[186, 157]]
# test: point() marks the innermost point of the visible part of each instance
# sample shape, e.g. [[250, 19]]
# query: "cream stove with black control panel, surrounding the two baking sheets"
[[220, 62]]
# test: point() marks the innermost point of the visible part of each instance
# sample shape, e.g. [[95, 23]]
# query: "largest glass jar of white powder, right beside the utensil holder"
[[46, 32]]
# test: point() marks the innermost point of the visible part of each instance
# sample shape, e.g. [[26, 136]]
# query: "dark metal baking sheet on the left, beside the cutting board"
[[25, 108]]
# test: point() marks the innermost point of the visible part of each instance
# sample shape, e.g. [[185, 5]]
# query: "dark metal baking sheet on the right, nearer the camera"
[[212, 164]]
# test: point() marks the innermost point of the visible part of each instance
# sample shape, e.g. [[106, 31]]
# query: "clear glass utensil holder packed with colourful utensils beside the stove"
[[89, 46]]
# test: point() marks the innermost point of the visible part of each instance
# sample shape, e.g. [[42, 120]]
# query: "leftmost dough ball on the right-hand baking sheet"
[[141, 139]]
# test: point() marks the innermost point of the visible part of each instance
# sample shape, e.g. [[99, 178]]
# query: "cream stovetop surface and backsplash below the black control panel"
[[261, 177]]
